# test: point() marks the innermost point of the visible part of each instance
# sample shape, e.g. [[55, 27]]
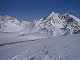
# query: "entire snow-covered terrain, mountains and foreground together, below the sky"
[[55, 37]]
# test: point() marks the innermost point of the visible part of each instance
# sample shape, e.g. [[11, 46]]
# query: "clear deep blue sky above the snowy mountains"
[[37, 8]]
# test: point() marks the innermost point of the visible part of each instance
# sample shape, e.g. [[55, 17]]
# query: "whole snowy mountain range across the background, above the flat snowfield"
[[54, 24]]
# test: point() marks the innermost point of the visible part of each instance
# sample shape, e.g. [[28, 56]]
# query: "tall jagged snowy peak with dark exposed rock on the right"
[[59, 24]]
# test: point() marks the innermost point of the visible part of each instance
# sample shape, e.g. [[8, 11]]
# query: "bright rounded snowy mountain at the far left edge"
[[9, 24]]
